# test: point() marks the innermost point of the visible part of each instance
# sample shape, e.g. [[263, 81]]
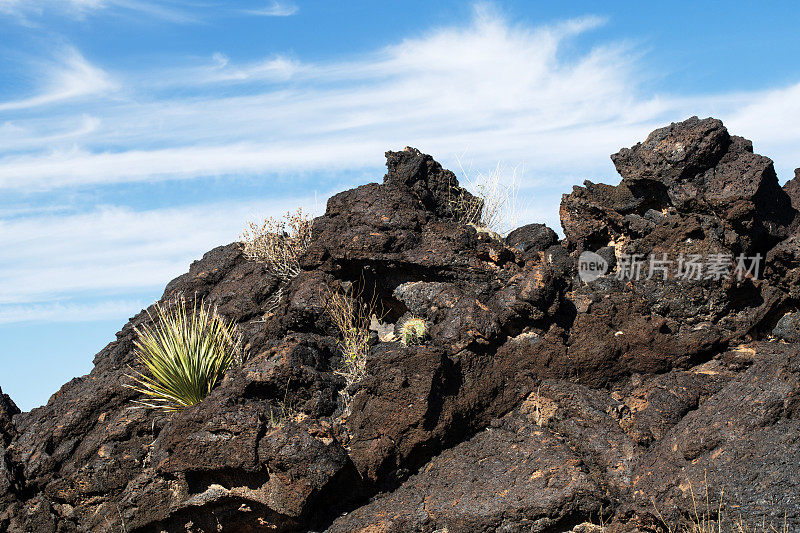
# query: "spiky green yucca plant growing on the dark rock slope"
[[184, 354]]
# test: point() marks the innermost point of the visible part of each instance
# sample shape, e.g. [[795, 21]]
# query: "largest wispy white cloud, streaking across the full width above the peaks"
[[503, 92]]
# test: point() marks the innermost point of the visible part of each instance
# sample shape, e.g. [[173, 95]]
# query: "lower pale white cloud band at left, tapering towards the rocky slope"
[[114, 249]]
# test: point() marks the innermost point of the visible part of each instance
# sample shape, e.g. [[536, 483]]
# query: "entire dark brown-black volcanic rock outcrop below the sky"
[[537, 403]]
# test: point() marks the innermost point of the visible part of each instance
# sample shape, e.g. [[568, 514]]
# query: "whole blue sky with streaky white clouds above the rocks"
[[136, 135]]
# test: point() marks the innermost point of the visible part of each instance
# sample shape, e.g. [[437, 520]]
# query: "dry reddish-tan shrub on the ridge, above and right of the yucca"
[[278, 243]]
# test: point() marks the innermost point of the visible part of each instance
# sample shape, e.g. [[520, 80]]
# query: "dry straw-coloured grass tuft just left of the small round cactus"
[[351, 315]]
